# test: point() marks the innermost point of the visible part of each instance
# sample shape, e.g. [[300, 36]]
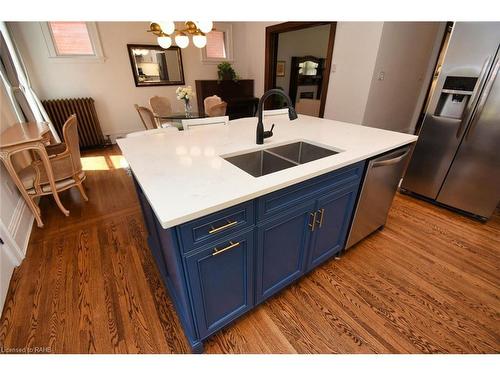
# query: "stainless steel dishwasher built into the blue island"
[[382, 177]]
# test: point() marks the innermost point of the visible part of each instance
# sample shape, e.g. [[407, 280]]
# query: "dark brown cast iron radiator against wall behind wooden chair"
[[89, 129]]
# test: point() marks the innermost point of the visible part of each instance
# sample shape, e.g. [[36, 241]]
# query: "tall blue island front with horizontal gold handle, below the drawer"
[[222, 284]]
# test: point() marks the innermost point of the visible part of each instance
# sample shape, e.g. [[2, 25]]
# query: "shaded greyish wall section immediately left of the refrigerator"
[[403, 58]]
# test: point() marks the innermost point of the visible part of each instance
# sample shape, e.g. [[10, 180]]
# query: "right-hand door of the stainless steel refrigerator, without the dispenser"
[[473, 182]]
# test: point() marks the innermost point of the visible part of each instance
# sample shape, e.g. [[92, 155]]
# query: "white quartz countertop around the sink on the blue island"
[[184, 176]]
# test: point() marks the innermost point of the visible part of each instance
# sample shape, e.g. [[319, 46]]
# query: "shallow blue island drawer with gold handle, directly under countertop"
[[206, 229]]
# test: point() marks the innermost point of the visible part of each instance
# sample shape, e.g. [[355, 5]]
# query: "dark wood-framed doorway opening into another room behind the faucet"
[[298, 60]]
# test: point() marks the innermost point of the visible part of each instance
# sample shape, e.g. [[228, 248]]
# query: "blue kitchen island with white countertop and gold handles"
[[225, 240]]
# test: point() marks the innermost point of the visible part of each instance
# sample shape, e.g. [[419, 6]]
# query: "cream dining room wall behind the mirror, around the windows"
[[110, 83]]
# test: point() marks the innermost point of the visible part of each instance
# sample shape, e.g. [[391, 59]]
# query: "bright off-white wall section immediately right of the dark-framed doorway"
[[353, 62]]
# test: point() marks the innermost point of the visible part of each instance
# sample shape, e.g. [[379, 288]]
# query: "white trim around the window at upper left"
[[94, 39]]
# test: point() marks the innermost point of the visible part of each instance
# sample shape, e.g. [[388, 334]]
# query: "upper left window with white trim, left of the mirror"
[[72, 41]]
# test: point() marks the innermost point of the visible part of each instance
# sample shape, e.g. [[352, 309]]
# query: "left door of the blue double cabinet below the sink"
[[281, 250]]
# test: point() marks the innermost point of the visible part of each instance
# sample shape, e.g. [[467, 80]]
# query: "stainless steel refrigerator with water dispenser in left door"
[[456, 161]]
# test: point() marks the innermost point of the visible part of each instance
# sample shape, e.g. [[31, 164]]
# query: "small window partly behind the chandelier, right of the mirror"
[[219, 45]]
